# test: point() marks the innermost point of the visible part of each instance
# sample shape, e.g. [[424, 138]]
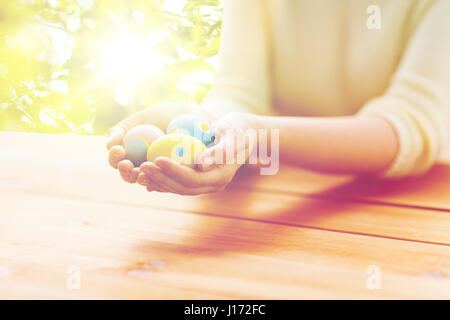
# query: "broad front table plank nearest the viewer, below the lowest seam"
[[193, 256]]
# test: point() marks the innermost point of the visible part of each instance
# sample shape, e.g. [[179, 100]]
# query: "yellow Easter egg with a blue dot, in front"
[[179, 147]]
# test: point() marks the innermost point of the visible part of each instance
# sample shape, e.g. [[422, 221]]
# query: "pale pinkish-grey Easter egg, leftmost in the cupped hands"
[[137, 140]]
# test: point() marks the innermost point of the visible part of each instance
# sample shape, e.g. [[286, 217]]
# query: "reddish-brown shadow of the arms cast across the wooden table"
[[239, 234]]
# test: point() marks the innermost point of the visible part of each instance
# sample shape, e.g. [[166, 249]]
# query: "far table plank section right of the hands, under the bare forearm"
[[431, 191]]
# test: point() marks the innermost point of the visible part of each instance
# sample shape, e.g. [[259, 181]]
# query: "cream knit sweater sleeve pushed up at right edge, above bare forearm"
[[417, 102]]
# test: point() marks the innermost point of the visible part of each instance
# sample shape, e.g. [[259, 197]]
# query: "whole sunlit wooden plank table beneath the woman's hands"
[[66, 218]]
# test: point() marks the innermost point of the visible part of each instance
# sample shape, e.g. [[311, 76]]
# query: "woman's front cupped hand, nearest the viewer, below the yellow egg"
[[216, 167]]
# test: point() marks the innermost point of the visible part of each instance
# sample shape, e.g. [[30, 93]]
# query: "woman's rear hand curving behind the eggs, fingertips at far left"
[[159, 116]]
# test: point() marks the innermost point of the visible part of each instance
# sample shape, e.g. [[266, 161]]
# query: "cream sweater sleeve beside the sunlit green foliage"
[[242, 81]]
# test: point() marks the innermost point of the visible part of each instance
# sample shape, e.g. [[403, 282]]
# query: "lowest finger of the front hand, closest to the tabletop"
[[156, 175]]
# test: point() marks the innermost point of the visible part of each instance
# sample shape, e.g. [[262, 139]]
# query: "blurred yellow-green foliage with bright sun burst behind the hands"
[[80, 66]]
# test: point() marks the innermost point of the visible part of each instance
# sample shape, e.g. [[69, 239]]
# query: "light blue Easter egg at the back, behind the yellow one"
[[193, 126]]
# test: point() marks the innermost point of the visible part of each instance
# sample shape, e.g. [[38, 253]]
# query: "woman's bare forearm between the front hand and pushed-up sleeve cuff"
[[355, 145]]
